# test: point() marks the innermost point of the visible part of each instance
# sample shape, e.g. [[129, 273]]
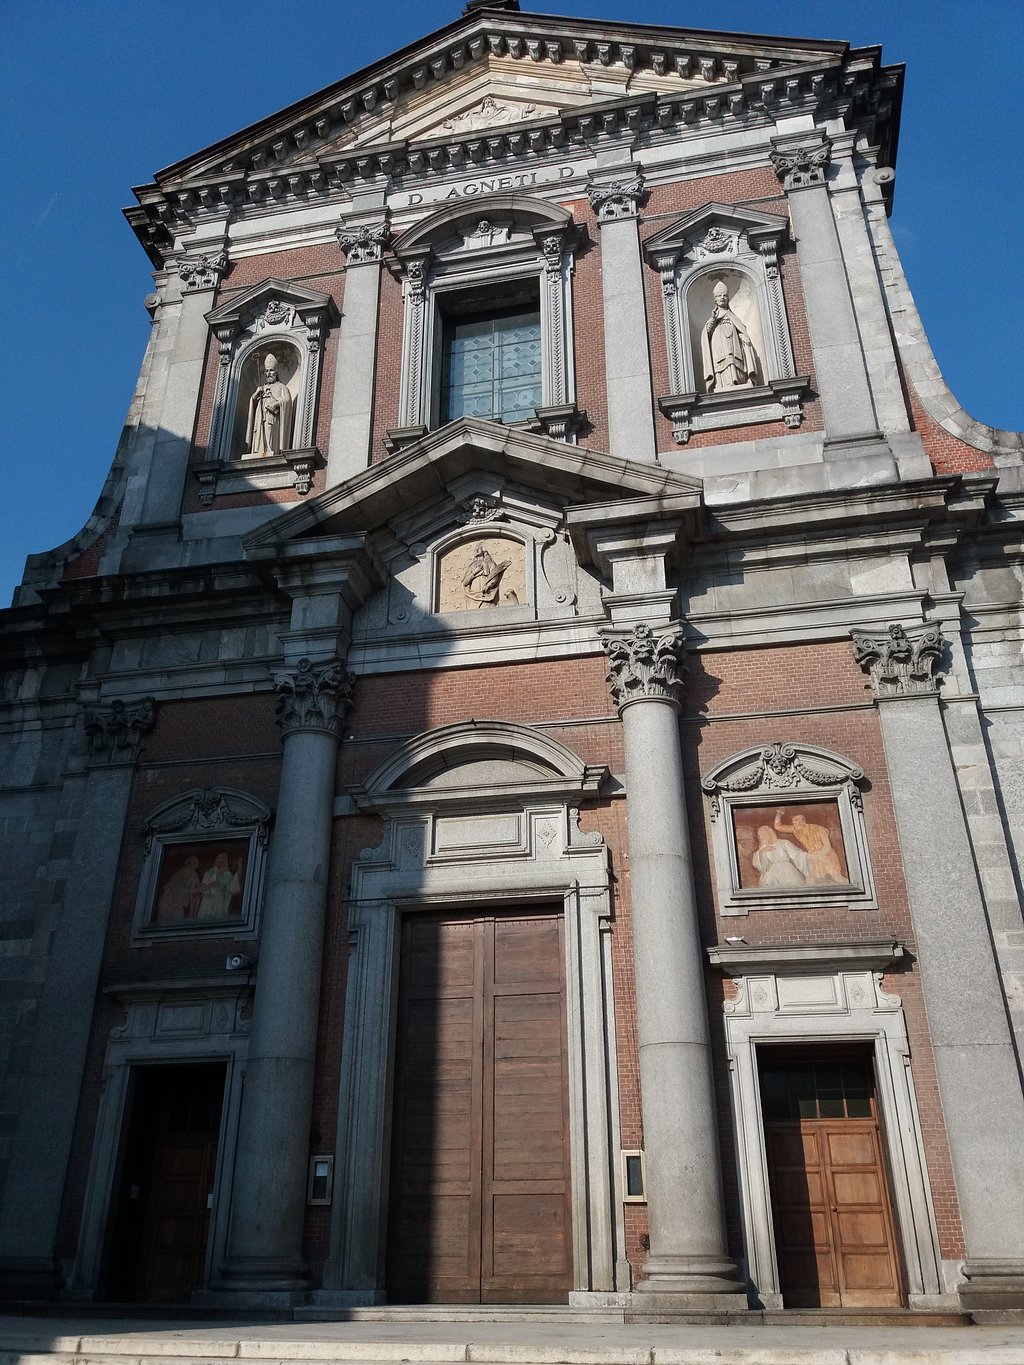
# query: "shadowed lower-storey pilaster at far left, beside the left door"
[[47, 1090]]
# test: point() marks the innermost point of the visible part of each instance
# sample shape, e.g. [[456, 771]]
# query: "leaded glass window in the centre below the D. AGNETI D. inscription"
[[492, 365]]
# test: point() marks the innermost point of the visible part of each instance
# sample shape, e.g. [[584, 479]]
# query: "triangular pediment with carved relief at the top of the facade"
[[500, 66]]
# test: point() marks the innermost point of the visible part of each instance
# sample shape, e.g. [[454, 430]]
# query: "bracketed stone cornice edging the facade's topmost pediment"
[[294, 158]]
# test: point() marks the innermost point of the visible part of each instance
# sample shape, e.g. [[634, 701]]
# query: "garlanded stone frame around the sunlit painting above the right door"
[[788, 775]]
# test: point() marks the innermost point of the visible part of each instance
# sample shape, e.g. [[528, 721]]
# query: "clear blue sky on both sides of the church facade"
[[98, 95]]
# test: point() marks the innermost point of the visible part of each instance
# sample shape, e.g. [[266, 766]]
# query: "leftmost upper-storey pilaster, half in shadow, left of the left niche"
[[162, 507]]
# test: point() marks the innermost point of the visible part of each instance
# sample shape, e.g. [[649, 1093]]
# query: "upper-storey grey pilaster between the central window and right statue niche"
[[627, 350]]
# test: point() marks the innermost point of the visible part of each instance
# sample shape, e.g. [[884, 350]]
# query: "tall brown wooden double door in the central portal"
[[480, 1196]]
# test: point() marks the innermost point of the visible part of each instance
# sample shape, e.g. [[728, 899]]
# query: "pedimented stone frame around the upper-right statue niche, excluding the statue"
[[712, 240]]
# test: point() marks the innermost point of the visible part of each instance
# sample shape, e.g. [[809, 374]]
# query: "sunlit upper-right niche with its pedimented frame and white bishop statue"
[[731, 361]]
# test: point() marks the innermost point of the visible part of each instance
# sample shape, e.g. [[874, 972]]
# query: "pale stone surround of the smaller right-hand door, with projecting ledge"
[[829, 994]]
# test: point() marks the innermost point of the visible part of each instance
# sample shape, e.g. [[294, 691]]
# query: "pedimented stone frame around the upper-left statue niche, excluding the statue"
[[274, 312]]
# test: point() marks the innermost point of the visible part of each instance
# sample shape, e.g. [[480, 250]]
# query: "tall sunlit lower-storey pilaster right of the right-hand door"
[[971, 1038]]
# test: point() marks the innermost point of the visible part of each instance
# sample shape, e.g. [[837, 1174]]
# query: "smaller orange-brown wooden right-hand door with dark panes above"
[[834, 1218]]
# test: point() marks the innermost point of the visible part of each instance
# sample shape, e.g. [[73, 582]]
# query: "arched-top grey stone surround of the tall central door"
[[481, 814]]
